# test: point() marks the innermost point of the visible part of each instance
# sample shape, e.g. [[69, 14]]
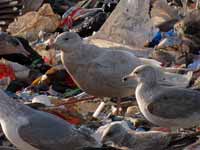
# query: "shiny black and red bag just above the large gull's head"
[[83, 21]]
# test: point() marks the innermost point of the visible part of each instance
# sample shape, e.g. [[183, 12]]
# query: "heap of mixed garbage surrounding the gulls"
[[163, 32]]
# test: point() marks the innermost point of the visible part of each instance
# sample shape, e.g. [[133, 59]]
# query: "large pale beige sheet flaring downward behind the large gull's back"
[[138, 29]]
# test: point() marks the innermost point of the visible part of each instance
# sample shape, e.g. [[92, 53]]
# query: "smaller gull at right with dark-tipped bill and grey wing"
[[163, 105]]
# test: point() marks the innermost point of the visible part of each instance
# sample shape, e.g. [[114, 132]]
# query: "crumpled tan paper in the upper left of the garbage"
[[30, 24]]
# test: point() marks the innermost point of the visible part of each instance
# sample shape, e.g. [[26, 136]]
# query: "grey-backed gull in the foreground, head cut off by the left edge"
[[29, 129]]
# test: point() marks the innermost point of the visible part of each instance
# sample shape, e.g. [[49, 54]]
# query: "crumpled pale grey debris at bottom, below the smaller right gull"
[[119, 134]]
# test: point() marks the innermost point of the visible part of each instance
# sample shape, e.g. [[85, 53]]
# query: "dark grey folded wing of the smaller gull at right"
[[184, 103]]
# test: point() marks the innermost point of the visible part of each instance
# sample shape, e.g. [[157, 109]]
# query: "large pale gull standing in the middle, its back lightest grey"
[[98, 71]]
